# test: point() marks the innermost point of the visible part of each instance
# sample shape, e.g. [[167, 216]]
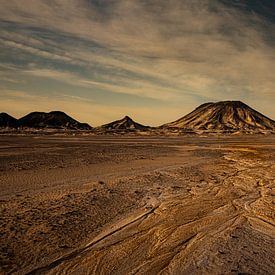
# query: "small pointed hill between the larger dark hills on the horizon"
[[124, 124]]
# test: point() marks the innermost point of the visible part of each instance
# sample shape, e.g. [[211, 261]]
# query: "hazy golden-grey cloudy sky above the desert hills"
[[153, 60]]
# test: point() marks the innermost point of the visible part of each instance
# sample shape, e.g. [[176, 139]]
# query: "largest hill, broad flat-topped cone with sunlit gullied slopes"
[[224, 115]]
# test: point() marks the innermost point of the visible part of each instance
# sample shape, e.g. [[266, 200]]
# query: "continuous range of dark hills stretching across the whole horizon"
[[223, 116]]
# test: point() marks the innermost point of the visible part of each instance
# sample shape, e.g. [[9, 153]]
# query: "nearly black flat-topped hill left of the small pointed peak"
[[55, 119]]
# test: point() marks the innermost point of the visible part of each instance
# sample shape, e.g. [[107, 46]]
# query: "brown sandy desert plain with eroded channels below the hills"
[[137, 205]]
